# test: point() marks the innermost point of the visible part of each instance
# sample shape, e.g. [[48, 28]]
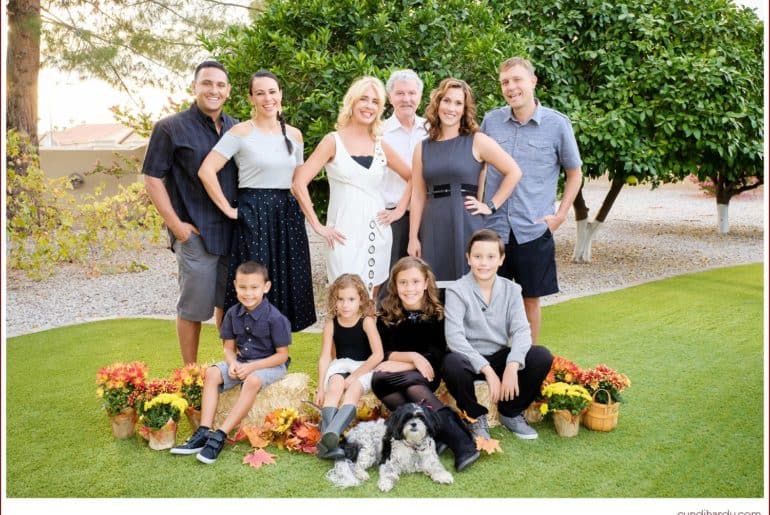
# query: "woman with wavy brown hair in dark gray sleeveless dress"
[[446, 169]]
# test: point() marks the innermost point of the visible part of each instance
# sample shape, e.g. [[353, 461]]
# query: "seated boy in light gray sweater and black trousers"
[[488, 333]]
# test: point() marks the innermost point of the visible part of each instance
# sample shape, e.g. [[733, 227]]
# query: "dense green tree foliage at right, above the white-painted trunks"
[[656, 89]]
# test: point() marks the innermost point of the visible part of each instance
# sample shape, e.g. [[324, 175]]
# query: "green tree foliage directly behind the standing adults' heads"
[[318, 48]]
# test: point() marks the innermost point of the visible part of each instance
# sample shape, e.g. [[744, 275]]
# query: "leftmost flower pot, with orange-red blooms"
[[114, 385]]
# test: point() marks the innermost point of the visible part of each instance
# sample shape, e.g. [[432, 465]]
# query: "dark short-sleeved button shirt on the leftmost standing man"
[[178, 145]]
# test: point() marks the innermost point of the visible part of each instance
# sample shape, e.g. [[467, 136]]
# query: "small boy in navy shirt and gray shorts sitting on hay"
[[256, 337]]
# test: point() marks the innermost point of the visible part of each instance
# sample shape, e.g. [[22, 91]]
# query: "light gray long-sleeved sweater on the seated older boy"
[[478, 329]]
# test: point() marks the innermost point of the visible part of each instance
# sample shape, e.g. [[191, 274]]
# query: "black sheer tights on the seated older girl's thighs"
[[397, 388]]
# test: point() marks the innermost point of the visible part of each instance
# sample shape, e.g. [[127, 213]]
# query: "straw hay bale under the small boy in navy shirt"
[[288, 392]]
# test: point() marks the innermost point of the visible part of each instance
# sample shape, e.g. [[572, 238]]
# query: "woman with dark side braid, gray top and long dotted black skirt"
[[271, 227]]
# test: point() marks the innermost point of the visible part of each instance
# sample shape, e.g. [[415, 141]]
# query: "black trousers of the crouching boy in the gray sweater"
[[459, 377]]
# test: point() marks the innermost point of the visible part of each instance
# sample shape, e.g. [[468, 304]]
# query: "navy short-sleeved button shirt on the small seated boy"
[[258, 333]]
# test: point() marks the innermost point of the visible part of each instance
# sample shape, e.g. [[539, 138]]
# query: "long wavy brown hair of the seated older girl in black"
[[392, 309]]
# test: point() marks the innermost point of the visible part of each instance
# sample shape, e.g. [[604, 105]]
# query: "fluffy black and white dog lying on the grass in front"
[[402, 445]]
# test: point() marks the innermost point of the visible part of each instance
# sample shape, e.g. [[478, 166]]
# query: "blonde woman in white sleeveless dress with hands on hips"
[[357, 228]]
